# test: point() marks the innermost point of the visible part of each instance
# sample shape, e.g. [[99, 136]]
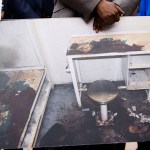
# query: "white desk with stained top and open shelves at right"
[[134, 49]]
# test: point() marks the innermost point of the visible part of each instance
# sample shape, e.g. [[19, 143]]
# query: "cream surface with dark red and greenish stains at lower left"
[[17, 94]]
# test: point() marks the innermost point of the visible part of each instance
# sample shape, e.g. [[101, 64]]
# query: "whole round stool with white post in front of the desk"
[[102, 92]]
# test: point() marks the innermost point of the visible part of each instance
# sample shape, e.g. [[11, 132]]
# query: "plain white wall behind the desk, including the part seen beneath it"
[[54, 35]]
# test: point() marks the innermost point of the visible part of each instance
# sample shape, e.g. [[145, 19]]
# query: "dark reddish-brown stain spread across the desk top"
[[105, 45]]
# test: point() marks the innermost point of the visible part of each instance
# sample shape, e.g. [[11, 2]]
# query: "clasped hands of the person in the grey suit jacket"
[[107, 13]]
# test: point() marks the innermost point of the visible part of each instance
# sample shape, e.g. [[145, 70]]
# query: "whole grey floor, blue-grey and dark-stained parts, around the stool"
[[65, 124]]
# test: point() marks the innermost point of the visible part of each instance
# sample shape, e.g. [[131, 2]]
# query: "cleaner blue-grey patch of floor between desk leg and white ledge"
[[62, 100]]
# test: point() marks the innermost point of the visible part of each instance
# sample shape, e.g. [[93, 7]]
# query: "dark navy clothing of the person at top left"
[[24, 9]]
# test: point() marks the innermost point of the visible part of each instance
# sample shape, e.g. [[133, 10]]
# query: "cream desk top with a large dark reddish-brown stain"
[[109, 43]]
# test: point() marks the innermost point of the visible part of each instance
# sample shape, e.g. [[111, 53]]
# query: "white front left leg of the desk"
[[75, 79]]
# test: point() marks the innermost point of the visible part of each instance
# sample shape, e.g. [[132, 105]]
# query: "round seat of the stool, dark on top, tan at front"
[[102, 91]]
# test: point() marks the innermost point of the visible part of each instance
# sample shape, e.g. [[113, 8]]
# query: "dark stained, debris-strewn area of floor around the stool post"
[[78, 126]]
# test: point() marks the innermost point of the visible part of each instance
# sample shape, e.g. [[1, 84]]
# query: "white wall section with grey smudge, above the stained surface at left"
[[16, 47]]
